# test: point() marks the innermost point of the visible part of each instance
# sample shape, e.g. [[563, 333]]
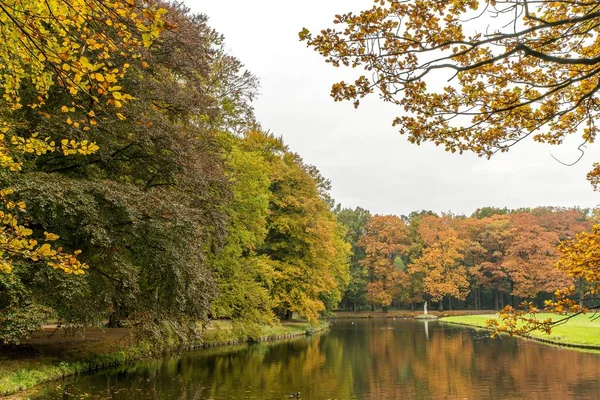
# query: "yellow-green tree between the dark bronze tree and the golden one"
[[244, 277]]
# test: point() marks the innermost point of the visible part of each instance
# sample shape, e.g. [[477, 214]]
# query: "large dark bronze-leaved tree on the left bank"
[[147, 207]]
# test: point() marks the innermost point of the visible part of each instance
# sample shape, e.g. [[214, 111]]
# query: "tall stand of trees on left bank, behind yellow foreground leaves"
[[185, 210]]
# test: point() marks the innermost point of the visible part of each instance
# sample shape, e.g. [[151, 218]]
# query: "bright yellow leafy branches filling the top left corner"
[[48, 44]]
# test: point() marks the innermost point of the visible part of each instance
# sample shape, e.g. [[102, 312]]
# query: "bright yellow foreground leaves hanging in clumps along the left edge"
[[59, 43]]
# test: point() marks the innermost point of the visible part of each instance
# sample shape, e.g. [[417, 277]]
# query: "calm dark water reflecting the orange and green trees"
[[362, 359]]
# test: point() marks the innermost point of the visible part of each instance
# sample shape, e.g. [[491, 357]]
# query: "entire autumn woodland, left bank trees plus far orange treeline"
[[140, 190]]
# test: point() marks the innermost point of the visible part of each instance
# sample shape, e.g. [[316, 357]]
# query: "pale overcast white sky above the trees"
[[367, 161]]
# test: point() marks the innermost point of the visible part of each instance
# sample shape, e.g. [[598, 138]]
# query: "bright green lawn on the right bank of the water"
[[581, 331]]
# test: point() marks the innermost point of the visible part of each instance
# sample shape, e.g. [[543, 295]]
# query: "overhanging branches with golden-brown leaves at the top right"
[[533, 71]]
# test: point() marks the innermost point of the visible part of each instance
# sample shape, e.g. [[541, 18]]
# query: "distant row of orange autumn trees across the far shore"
[[495, 257]]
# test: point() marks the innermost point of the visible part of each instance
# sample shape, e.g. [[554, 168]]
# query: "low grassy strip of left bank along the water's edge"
[[44, 369]]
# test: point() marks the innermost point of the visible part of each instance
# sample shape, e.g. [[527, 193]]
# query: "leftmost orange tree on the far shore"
[[384, 241]]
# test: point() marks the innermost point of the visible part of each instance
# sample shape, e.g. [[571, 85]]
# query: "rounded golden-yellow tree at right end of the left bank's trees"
[[304, 246]]
